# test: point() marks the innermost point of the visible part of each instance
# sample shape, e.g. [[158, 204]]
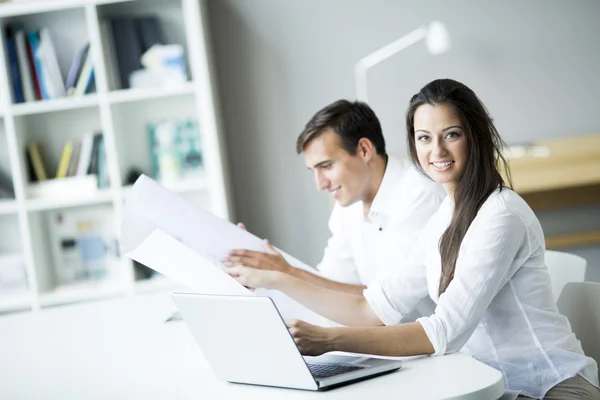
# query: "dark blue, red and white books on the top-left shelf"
[[35, 71]]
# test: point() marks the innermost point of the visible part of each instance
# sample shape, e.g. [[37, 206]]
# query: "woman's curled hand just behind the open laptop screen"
[[311, 340]]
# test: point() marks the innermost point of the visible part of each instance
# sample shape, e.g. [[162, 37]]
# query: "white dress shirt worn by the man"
[[362, 247]]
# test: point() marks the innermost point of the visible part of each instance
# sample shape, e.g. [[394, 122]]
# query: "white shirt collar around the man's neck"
[[384, 200]]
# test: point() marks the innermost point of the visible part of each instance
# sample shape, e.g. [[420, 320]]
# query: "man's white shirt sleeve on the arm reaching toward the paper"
[[338, 262]]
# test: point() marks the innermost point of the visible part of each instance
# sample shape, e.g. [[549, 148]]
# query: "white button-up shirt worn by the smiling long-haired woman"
[[499, 305]]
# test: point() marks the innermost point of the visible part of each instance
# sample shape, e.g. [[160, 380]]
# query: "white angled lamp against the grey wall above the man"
[[436, 37]]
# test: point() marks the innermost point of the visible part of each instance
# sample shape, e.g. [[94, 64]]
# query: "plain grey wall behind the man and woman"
[[534, 64]]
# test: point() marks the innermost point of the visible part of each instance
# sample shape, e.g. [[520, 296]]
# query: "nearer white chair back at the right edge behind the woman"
[[580, 303]]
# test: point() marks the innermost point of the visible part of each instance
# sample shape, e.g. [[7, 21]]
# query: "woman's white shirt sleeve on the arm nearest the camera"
[[490, 254]]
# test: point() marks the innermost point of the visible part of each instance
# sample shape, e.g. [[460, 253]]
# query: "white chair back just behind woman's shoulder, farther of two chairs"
[[563, 268]]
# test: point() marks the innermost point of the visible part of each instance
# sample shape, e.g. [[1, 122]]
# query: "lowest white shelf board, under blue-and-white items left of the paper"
[[75, 293]]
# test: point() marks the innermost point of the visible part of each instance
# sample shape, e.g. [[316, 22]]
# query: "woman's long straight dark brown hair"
[[481, 175]]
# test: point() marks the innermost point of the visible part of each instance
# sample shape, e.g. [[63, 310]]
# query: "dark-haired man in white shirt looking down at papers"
[[381, 203]]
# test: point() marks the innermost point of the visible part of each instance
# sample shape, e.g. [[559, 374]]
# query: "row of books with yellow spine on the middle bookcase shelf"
[[82, 166]]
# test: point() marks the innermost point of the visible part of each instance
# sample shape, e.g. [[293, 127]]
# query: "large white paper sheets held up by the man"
[[186, 243]]
